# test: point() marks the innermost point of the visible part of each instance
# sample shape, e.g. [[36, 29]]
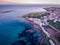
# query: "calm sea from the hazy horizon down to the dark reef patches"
[[11, 25]]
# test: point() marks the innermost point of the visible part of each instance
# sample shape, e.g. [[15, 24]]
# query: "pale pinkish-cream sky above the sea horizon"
[[29, 1]]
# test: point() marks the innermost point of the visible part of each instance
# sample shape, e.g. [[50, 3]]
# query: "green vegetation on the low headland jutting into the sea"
[[36, 15]]
